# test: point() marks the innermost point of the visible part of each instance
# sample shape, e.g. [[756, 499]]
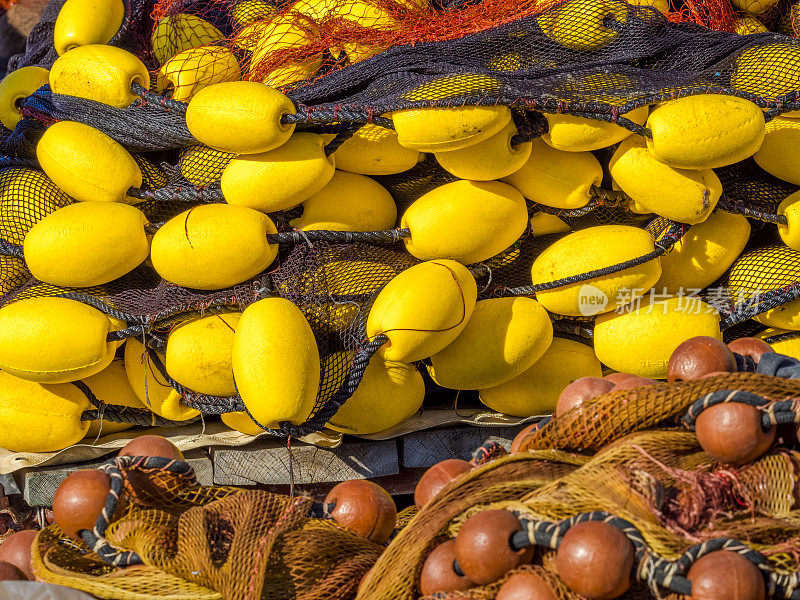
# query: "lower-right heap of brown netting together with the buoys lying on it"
[[668, 519]]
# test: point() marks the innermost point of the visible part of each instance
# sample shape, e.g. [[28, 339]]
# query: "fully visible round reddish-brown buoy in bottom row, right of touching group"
[[595, 559]]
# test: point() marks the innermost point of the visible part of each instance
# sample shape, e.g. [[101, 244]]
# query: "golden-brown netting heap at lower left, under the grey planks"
[[171, 538]]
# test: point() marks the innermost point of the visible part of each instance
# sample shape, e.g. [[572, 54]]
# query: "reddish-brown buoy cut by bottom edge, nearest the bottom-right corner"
[[724, 575]]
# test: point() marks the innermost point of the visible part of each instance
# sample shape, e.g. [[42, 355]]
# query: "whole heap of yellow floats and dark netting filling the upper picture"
[[505, 199]]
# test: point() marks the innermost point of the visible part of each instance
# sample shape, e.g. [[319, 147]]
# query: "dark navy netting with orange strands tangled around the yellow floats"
[[354, 63]]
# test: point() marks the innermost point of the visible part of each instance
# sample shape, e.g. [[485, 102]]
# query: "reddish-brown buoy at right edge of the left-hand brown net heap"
[[363, 507]]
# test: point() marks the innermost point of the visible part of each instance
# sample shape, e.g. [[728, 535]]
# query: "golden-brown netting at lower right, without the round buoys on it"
[[630, 458]]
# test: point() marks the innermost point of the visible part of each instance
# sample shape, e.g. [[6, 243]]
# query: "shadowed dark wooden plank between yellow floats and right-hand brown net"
[[426, 448]]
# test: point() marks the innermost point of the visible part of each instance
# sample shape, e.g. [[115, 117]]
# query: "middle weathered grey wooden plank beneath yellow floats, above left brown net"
[[271, 462]]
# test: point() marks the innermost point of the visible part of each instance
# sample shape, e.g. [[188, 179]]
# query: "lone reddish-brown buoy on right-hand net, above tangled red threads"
[[732, 433]]
